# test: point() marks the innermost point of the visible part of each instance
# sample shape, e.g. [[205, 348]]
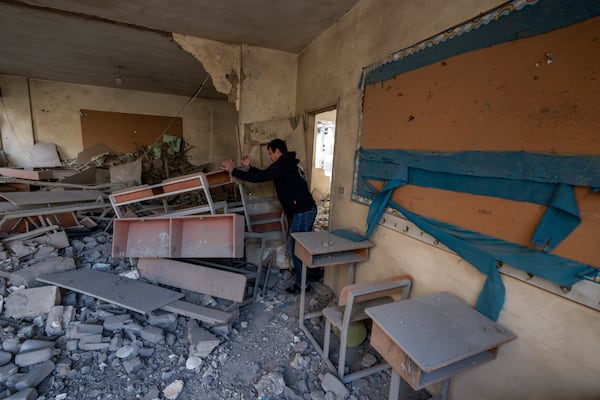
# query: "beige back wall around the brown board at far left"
[[208, 125]]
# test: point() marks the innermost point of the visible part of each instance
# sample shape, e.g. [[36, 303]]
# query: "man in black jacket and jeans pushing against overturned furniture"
[[292, 191]]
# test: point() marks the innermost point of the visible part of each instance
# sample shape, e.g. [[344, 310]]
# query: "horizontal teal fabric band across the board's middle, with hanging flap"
[[537, 178]]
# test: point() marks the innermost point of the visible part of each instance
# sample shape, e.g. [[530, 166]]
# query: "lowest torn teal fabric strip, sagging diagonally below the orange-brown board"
[[480, 250]]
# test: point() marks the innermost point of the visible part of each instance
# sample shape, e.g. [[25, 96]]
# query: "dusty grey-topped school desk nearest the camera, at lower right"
[[429, 339]]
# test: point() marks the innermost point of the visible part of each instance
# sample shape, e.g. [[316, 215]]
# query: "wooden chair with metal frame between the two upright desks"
[[353, 300]]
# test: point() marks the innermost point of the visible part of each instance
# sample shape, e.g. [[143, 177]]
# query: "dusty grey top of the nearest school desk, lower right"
[[438, 330]]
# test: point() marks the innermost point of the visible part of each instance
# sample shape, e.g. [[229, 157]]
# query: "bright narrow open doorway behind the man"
[[322, 165]]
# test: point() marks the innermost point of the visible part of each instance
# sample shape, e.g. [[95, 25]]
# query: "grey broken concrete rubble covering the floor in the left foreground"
[[59, 344]]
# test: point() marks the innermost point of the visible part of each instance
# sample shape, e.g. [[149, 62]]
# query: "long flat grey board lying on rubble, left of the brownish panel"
[[127, 293]]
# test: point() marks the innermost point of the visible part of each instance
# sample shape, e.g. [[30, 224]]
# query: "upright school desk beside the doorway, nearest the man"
[[324, 249]]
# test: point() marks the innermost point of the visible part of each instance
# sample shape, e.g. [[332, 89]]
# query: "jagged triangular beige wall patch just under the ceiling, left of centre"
[[221, 60]]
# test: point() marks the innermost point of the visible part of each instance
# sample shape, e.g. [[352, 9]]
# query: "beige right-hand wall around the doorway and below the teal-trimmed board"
[[556, 352]]
